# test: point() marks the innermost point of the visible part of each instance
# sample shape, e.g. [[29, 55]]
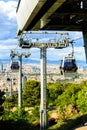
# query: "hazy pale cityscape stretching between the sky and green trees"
[[31, 71]]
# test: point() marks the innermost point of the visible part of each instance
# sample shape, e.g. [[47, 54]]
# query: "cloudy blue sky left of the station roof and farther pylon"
[[8, 27]]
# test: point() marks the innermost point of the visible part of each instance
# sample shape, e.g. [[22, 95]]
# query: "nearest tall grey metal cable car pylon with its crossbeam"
[[57, 44]]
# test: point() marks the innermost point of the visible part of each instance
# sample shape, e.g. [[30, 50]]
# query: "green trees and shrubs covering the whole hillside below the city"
[[69, 99]]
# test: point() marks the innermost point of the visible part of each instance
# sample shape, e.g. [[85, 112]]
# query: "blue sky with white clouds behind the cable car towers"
[[8, 30]]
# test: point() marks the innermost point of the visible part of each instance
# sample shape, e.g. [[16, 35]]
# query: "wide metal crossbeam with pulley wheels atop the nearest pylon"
[[25, 40]]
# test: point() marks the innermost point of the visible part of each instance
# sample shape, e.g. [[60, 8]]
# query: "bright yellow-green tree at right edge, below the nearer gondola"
[[75, 94]]
